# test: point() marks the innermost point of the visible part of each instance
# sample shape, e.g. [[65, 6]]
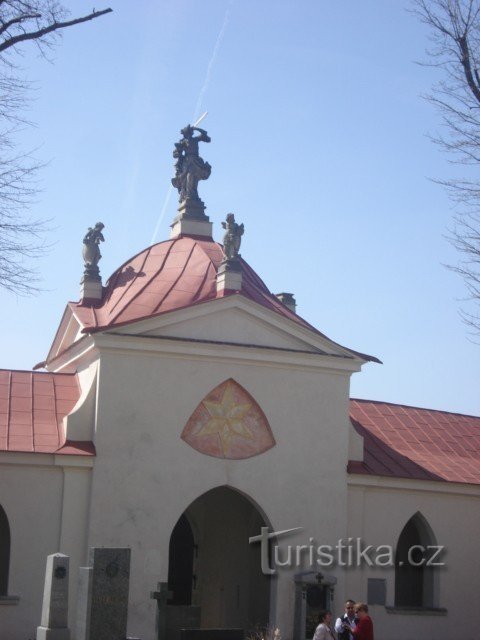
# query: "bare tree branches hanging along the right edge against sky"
[[455, 34]]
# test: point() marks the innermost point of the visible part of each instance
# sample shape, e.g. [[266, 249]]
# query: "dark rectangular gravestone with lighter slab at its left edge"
[[103, 595]]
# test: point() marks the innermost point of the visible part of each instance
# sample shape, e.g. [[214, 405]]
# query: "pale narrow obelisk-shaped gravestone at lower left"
[[54, 623]]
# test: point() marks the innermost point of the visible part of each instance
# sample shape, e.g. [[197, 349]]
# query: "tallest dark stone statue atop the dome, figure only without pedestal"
[[189, 167]]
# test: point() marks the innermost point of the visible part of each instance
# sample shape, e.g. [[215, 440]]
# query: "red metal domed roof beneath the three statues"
[[168, 276]]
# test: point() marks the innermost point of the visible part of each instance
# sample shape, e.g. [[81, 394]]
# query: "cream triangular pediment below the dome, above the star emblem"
[[236, 321]]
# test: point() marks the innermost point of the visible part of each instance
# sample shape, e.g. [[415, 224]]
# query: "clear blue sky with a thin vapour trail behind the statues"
[[319, 146]]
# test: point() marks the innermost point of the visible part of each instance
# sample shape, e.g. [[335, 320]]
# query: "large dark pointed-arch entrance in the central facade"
[[214, 573]]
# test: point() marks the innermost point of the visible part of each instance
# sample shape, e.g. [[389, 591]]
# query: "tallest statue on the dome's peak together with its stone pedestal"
[[190, 168]]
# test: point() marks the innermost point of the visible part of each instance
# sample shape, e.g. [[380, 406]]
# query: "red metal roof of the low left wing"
[[32, 408]]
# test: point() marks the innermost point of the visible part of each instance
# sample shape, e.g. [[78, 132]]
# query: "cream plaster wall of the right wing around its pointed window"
[[378, 514]]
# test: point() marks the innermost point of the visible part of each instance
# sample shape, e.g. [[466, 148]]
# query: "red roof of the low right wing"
[[408, 442]]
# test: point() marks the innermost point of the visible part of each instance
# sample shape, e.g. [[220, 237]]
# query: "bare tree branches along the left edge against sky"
[[21, 238]]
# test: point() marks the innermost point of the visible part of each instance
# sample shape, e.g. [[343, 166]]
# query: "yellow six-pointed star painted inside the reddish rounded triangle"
[[226, 420]]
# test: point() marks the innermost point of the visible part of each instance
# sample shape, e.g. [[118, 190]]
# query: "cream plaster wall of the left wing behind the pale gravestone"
[[45, 506]]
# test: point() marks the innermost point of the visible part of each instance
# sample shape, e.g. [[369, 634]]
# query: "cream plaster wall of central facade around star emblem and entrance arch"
[[145, 476]]
